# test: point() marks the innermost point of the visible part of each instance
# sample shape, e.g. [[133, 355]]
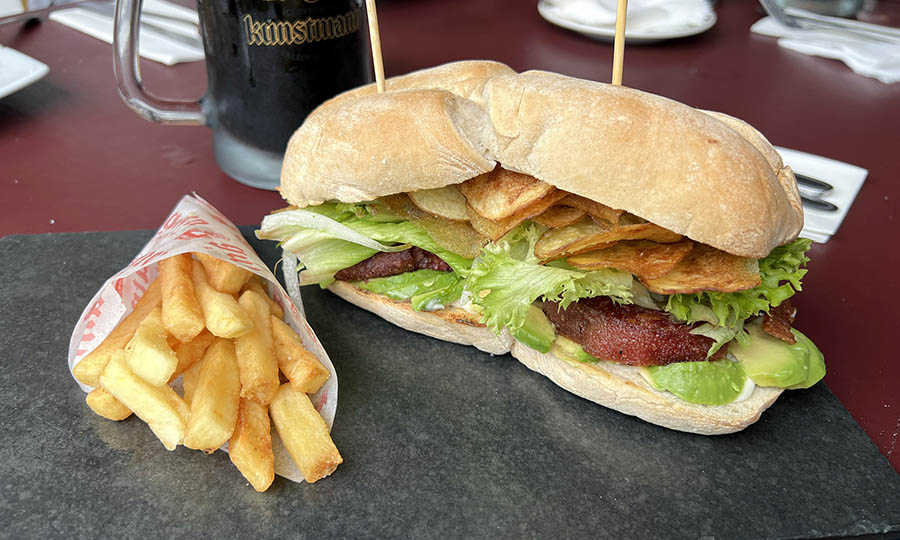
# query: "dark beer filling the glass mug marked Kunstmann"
[[270, 63]]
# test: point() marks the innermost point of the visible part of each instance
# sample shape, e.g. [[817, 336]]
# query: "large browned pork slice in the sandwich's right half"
[[628, 334]]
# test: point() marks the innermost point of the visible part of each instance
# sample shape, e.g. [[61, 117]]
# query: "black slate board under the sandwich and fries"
[[439, 441]]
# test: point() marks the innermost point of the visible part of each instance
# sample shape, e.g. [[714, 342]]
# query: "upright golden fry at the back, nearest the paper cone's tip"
[[181, 311]]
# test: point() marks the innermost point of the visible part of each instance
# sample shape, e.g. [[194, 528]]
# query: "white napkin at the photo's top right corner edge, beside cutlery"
[[870, 58]]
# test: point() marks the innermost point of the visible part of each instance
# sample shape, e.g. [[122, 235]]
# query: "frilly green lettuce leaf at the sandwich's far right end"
[[781, 273]]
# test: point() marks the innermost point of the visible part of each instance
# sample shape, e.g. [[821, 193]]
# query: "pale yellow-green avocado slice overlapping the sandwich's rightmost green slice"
[[770, 361]]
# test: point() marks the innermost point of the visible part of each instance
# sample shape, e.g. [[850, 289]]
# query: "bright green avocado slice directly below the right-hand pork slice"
[[706, 383]]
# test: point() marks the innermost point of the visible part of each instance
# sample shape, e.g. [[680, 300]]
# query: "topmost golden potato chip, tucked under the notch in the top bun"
[[500, 193]]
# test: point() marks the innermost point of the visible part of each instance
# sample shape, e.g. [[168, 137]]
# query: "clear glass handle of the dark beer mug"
[[128, 74]]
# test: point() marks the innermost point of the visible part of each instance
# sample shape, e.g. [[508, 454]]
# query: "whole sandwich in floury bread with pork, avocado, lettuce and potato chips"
[[636, 251]]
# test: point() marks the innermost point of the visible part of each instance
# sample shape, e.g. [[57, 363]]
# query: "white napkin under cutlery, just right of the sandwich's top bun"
[[819, 225]]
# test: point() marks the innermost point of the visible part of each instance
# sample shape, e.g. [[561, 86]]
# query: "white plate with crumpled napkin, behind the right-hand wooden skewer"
[[643, 15]]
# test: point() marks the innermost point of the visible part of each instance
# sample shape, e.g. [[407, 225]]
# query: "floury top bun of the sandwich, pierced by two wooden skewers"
[[706, 175]]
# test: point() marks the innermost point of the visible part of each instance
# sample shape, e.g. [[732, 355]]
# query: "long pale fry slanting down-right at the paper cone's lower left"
[[159, 406]]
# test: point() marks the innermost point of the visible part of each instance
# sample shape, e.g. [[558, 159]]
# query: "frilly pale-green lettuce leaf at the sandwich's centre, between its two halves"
[[506, 279]]
